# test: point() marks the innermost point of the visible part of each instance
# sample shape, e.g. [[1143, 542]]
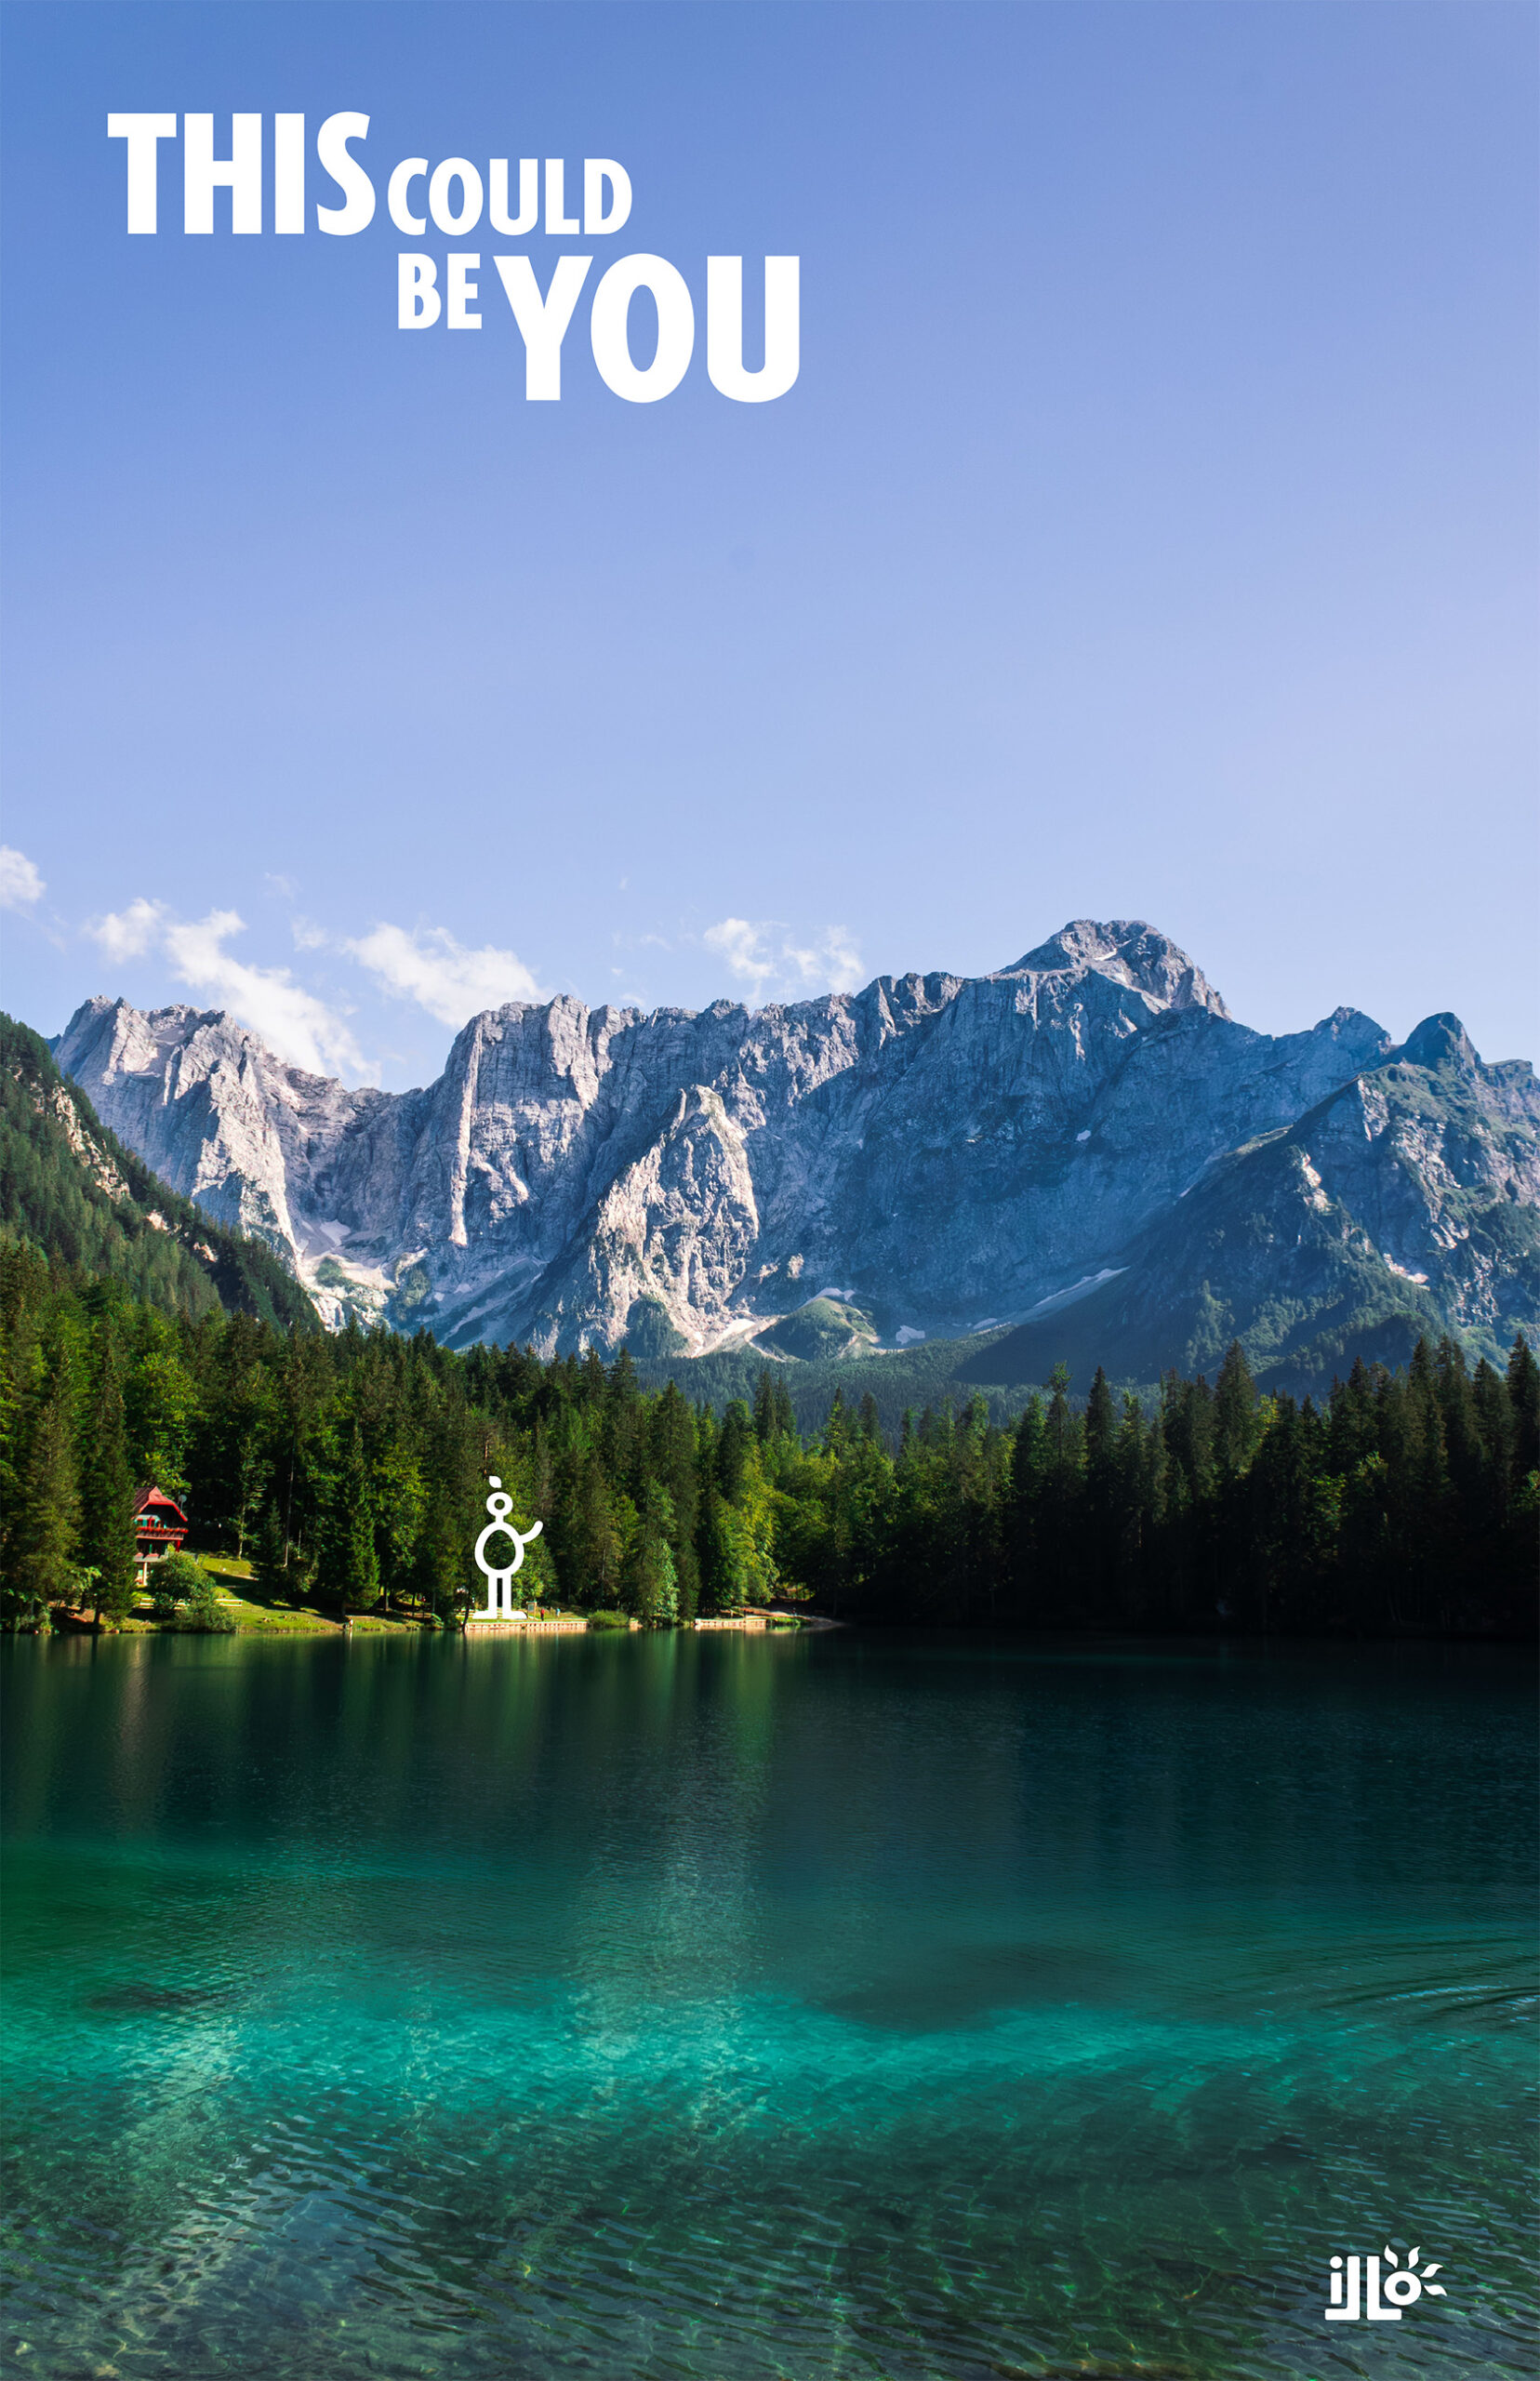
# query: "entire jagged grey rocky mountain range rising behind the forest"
[[1084, 1142]]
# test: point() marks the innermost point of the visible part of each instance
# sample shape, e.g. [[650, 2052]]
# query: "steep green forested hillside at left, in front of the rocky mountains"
[[73, 1192]]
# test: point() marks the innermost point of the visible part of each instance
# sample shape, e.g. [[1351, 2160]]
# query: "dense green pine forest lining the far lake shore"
[[353, 1473]]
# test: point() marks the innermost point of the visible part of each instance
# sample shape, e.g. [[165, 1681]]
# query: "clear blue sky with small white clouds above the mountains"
[[1151, 530]]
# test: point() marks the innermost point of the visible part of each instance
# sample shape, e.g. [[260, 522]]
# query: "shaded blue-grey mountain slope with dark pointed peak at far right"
[[1401, 1206]]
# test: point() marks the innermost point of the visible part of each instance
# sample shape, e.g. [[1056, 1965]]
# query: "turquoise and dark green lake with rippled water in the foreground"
[[730, 2008]]
